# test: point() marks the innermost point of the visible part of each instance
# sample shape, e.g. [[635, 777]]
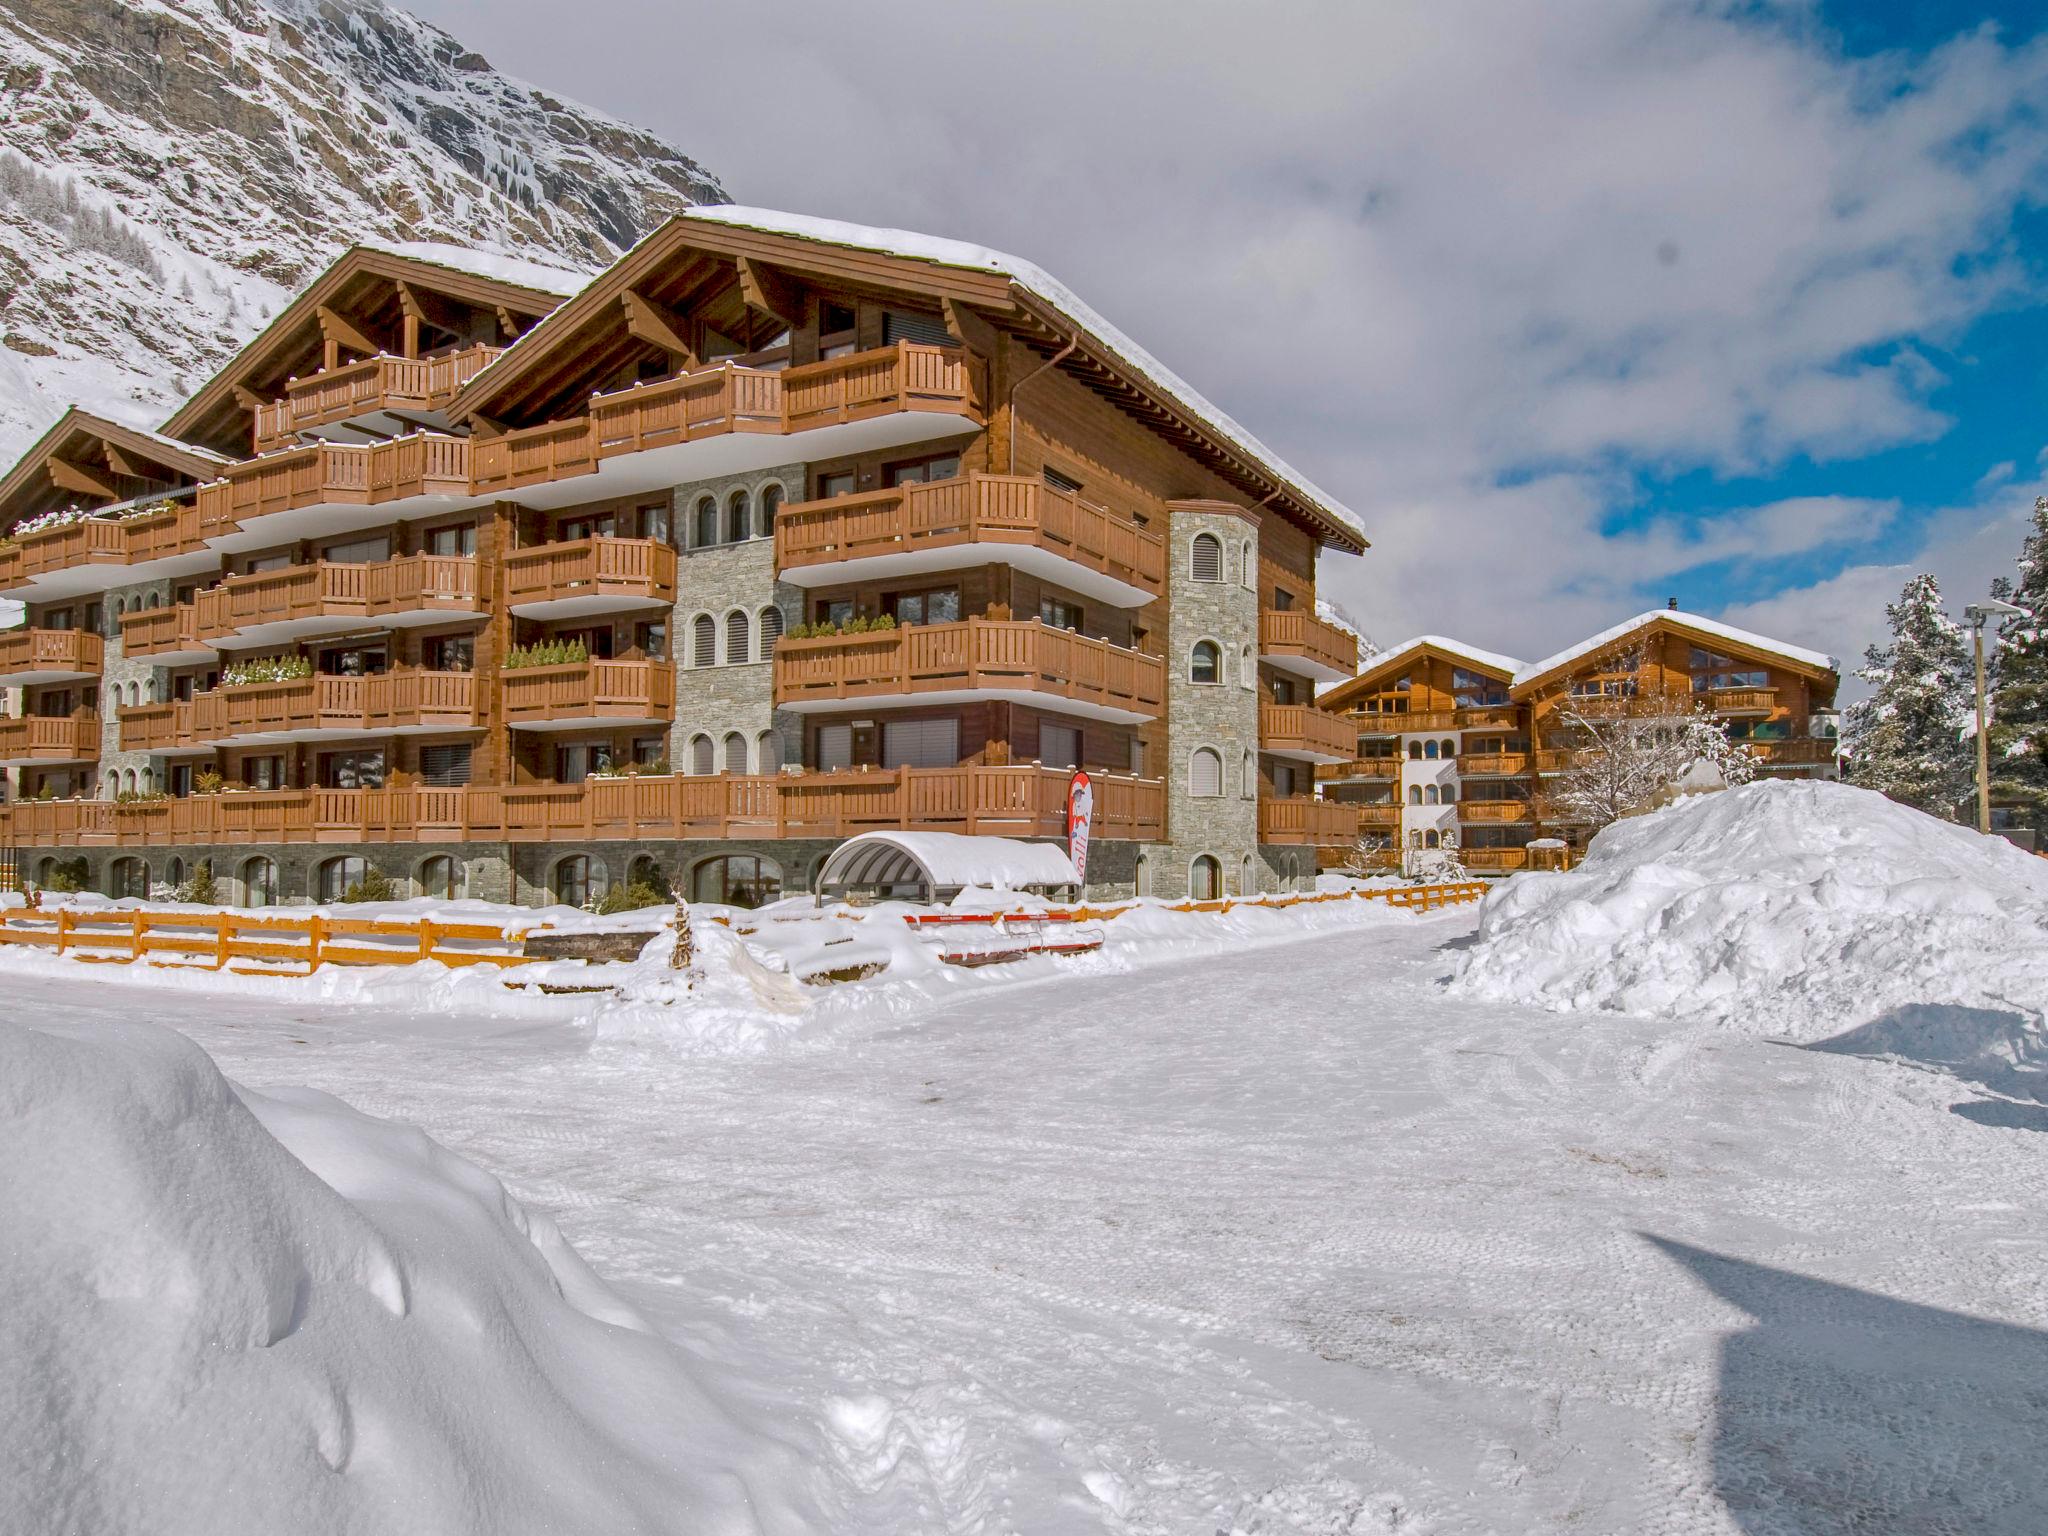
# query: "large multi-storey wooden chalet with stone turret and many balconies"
[[509, 583]]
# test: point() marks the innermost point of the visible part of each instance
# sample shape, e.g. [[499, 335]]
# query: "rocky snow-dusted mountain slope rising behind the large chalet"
[[173, 169]]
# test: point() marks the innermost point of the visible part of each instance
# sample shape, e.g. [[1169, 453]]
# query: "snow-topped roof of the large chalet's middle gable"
[[292, 345]]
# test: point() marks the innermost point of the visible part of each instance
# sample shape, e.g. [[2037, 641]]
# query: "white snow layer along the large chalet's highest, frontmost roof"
[[1048, 288]]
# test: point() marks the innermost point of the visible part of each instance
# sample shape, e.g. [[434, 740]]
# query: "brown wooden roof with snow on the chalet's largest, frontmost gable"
[[998, 290]]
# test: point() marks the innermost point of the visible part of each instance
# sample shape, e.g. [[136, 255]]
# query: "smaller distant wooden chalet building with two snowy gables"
[[1455, 744]]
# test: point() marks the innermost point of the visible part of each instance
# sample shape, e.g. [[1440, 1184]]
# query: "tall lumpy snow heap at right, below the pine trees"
[[1793, 908]]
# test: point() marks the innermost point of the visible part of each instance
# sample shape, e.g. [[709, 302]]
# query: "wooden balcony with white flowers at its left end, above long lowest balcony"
[[335, 708]]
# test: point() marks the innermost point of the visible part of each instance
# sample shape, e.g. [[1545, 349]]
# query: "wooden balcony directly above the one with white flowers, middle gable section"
[[327, 597]]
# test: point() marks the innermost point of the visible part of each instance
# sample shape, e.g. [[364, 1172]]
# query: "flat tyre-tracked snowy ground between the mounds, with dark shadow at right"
[[1267, 1238]]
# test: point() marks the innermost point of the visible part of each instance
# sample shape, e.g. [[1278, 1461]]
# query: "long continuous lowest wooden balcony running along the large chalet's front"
[[1015, 802]]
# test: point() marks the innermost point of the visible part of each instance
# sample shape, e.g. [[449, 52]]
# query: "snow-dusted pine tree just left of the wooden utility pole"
[[1908, 740]]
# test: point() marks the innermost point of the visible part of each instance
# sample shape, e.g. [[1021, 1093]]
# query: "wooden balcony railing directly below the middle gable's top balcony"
[[339, 474]]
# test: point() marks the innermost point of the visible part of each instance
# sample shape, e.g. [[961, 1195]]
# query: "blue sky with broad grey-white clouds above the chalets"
[[1578, 306]]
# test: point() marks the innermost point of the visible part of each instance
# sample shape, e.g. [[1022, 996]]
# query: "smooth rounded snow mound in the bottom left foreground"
[[243, 1312]]
